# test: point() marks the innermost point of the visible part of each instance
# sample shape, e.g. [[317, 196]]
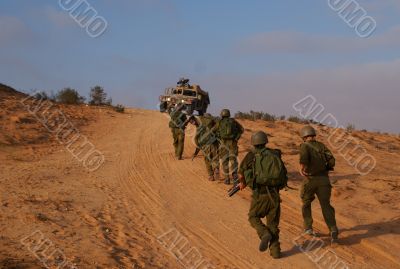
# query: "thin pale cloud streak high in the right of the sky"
[[297, 42]]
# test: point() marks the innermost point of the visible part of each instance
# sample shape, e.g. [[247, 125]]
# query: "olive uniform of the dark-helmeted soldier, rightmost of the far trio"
[[228, 149]]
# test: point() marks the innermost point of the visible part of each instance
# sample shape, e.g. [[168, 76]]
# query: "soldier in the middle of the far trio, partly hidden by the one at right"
[[206, 140]]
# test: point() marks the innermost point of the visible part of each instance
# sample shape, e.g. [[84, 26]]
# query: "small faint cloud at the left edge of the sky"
[[14, 32]]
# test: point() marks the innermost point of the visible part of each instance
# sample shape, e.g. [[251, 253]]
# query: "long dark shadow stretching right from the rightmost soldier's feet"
[[365, 231]]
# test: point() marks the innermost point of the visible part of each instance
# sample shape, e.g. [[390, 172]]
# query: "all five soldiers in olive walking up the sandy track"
[[262, 169]]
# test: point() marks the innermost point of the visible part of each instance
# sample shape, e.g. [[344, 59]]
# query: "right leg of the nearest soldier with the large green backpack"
[[273, 217]]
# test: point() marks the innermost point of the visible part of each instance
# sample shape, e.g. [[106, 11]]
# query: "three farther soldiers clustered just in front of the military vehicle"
[[216, 137]]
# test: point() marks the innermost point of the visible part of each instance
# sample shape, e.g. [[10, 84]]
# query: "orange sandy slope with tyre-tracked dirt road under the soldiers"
[[128, 213]]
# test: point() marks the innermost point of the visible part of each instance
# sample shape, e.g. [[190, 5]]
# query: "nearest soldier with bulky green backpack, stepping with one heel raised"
[[264, 171]]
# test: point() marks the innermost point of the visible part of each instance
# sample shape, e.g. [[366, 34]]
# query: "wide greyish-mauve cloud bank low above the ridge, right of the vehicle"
[[366, 95]]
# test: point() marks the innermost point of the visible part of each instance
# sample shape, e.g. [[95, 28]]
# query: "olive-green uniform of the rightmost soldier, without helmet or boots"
[[316, 183]]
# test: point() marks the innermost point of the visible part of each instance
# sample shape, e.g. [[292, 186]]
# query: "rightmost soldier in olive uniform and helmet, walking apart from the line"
[[316, 160]]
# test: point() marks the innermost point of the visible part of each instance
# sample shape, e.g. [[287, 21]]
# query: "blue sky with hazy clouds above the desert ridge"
[[249, 55]]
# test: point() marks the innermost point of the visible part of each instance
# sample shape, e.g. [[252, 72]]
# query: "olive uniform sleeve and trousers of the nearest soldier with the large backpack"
[[263, 204]]
